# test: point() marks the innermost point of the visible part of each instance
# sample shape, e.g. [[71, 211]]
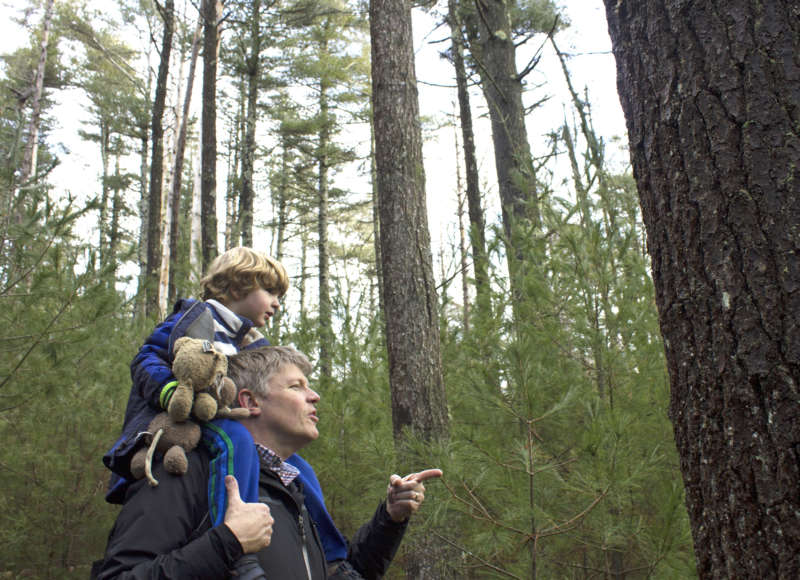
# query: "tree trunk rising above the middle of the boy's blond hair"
[[247, 194]]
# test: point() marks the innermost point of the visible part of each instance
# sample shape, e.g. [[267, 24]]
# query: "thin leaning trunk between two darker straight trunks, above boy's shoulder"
[[177, 181]]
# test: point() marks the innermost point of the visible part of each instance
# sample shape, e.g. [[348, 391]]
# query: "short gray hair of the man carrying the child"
[[252, 369]]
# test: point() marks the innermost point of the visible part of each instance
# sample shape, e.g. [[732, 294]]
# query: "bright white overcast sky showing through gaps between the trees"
[[591, 64]]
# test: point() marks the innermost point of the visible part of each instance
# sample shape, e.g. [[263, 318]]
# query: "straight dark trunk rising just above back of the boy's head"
[[208, 195]]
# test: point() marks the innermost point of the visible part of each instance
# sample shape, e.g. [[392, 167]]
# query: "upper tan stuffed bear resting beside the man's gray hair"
[[203, 390]]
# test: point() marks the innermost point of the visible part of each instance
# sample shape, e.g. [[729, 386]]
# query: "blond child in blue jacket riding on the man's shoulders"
[[241, 292]]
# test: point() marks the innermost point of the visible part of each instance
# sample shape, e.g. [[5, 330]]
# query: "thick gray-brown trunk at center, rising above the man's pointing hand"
[[412, 321]]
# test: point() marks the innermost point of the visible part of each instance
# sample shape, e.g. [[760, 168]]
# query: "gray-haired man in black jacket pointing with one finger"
[[168, 531]]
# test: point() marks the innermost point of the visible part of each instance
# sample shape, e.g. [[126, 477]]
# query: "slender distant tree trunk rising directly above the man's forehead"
[[325, 309]]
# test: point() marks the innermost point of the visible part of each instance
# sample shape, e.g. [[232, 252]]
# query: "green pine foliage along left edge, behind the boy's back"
[[63, 385]]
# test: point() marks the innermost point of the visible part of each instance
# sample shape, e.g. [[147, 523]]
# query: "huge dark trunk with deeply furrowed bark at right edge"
[[710, 92]]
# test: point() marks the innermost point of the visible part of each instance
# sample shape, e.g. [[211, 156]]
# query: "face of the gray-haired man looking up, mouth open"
[[288, 413]]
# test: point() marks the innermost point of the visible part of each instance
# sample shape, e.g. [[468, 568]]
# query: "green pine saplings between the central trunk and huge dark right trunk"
[[562, 462]]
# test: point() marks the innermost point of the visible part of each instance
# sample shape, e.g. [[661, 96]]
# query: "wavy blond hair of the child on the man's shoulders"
[[239, 271]]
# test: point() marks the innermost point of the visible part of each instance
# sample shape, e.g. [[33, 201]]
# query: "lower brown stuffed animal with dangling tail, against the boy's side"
[[172, 438]]
